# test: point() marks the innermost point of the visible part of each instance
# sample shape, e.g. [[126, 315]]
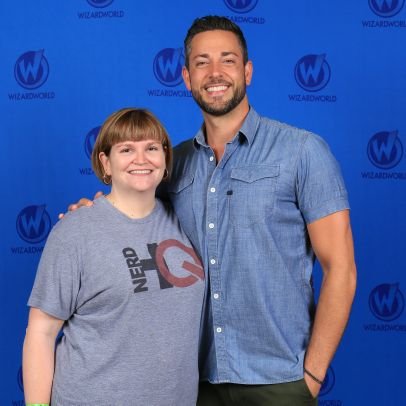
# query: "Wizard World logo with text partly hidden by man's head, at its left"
[[167, 68]]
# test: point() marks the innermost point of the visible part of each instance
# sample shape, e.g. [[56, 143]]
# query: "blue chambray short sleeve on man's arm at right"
[[320, 186]]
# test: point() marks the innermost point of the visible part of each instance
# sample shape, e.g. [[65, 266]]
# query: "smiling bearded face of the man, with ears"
[[217, 76]]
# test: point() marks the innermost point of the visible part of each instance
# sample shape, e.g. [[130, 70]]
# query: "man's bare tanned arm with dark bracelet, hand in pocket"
[[331, 239]]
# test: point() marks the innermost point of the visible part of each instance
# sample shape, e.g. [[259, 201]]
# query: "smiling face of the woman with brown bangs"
[[135, 165]]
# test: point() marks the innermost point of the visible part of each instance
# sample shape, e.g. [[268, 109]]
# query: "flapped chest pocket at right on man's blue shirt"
[[251, 196]]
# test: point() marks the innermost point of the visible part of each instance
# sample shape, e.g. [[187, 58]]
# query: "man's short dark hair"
[[211, 23]]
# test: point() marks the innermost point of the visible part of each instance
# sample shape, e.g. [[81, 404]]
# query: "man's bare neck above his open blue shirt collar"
[[222, 129]]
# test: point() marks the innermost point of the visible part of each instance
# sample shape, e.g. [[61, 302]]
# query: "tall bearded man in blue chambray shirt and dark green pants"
[[259, 200]]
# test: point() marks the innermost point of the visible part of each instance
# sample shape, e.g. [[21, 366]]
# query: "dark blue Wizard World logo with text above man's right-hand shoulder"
[[312, 73]]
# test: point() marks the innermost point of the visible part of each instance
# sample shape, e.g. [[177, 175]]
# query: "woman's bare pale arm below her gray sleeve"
[[39, 356]]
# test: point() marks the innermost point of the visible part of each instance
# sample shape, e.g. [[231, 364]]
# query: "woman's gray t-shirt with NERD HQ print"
[[131, 293]]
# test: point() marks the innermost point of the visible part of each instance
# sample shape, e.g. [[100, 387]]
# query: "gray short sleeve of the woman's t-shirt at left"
[[57, 281]]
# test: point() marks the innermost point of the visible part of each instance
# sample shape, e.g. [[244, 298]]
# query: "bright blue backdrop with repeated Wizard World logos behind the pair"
[[337, 68]]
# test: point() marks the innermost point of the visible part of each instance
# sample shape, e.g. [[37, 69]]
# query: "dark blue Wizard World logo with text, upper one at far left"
[[31, 71]]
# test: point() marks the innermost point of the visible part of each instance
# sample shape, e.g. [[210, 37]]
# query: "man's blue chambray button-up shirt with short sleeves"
[[247, 216]]
